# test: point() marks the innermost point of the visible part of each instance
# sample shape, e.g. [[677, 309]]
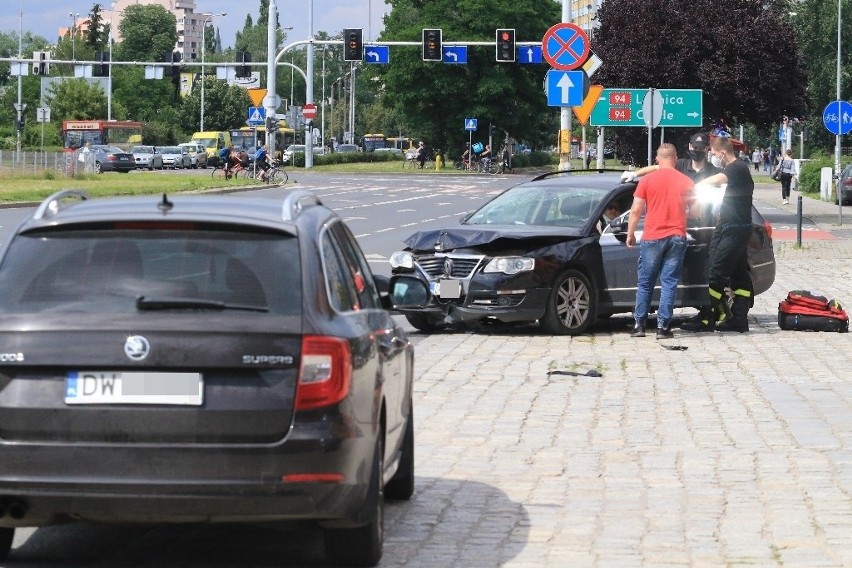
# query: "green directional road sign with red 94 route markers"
[[623, 107]]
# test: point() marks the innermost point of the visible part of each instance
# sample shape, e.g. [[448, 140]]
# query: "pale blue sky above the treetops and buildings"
[[45, 17]]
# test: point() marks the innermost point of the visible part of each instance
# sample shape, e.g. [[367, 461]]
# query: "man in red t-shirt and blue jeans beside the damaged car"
[[665, 196]]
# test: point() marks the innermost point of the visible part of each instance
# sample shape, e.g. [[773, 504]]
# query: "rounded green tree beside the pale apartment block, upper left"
[[148, 32]]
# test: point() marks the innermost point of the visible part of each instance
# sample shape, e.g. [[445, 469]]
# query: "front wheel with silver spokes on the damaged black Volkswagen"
[[572, 305]]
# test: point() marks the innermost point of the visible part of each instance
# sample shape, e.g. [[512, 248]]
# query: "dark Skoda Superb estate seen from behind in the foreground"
[[121, 406]]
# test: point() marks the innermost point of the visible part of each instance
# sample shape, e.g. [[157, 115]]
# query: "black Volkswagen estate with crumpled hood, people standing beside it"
[[540, 251]]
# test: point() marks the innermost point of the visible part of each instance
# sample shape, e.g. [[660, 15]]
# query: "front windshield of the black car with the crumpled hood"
[[542, 205]]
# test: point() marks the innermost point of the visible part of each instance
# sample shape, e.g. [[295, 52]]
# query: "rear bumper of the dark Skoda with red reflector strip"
[[43, 484]]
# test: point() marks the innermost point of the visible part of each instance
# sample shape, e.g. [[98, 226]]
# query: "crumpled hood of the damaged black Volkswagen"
[[477, 235]]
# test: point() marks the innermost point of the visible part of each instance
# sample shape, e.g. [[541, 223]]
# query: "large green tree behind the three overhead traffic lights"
[[432, 100]]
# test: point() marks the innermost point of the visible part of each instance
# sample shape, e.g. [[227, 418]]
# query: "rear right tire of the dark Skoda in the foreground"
[[362, 546]]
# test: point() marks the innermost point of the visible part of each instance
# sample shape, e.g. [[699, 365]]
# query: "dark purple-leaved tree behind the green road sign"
[[744, 56]]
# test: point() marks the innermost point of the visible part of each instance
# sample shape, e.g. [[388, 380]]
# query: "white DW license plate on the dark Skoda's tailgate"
[[123, 387]]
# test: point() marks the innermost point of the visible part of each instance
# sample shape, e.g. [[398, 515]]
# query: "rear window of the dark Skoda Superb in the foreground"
[[107, 271]]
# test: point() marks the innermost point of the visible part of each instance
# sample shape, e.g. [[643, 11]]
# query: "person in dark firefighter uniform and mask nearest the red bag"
[[729, 247]]
